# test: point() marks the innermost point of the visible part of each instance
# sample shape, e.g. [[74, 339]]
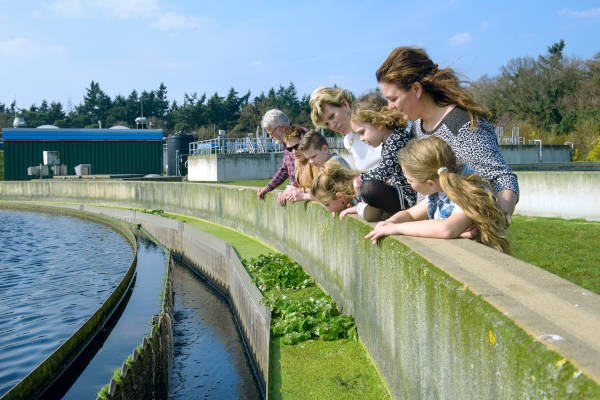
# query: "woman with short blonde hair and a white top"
[[331, 108]]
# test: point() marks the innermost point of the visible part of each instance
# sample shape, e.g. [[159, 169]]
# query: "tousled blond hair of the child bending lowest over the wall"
[[334, 178]]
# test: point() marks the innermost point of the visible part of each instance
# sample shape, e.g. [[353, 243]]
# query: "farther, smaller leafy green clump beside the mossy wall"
[[277, 272]]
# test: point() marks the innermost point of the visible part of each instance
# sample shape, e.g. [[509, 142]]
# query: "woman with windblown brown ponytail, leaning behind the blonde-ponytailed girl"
[[435, 101]]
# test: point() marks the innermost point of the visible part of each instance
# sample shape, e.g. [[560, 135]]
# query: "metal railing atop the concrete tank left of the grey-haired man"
[[234, 146]]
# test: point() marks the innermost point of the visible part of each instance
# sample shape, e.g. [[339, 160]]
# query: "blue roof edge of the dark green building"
[[35, 134]]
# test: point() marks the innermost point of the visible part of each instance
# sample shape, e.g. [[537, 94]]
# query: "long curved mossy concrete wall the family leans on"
[[444, 319]]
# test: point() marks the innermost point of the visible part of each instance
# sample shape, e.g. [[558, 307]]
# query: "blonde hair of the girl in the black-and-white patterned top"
[[372, 109]]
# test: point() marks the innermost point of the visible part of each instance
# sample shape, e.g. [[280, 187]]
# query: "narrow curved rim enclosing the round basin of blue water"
[[38, 380]]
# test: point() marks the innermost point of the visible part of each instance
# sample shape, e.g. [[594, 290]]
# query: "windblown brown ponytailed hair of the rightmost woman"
[[407, 65]]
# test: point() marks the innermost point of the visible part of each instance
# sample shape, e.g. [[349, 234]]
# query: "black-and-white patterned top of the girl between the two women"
[[389, 170]]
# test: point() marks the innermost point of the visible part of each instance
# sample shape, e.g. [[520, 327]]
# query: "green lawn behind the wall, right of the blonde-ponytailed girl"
[[567, 248]]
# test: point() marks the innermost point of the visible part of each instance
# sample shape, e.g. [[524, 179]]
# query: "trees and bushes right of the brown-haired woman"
[[552, 97]]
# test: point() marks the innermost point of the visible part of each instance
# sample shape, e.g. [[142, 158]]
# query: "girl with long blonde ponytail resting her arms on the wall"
[[456, 198]]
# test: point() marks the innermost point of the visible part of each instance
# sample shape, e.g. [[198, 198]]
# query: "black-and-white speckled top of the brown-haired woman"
[[477, 148]]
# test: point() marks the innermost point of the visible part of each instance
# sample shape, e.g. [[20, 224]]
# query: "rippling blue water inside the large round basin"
[[55, 271]]
